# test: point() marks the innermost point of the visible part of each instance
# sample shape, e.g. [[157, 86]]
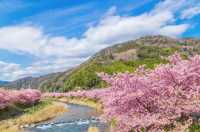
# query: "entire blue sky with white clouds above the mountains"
[[38, 37]]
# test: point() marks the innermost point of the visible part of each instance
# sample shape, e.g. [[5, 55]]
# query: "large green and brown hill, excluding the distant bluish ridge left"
[[120, 58]]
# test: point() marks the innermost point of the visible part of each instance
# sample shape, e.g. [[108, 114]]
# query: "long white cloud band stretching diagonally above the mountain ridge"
[[59, 53]]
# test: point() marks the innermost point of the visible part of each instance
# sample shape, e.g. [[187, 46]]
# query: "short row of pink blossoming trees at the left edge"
[[26, 97]]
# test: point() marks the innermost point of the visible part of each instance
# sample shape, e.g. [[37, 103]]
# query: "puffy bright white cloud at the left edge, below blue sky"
[[20, 39]]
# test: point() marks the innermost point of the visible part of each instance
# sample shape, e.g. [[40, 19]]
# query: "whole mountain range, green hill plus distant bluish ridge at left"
[[127, 56]]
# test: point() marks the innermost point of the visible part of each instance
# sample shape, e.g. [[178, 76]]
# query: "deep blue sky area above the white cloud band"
[[69, 18]]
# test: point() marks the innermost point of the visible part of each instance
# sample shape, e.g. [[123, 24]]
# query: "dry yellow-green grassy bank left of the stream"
[[42, 111]]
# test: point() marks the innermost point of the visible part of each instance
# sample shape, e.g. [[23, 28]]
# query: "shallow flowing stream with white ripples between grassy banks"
[[78, 119]]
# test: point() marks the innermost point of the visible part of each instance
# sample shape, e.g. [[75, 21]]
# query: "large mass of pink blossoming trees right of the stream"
[[149, 99]]
